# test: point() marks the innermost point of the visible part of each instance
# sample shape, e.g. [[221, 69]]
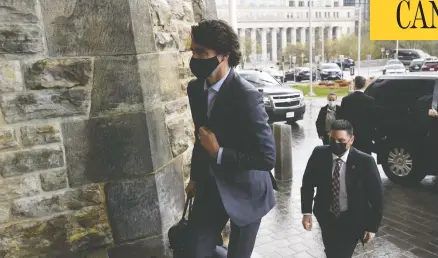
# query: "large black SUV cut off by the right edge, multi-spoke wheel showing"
[[404, 143]]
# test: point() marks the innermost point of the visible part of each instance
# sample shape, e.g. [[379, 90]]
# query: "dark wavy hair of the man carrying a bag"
[[219, 36]]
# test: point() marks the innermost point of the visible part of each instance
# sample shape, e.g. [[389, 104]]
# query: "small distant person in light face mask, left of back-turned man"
[[327, 115]]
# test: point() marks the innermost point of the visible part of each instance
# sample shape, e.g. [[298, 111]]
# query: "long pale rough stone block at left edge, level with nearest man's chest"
[[44, 104]]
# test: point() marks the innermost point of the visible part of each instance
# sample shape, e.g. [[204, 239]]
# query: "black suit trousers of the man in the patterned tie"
[[339, 240]]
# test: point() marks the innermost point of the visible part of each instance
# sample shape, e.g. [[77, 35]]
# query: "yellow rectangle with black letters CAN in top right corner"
[[404, 19]]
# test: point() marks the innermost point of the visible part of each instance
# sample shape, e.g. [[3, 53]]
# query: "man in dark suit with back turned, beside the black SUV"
[[359, 110]]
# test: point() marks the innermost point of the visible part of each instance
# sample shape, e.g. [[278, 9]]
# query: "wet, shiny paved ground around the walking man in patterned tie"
[[409, 227]]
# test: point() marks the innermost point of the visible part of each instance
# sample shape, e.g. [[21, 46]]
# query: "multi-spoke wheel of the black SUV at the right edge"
[[401, 166]]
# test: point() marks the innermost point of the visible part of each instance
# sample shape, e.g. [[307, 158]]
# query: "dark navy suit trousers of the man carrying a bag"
[[207, 221]]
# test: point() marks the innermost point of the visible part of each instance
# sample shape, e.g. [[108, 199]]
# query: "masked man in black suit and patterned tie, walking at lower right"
[[348, 202]]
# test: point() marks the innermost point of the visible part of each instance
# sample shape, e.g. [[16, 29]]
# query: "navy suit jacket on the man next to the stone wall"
[[240, 123]]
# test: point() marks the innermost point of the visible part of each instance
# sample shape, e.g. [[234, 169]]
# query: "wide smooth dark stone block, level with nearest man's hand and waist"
[[109, 148]]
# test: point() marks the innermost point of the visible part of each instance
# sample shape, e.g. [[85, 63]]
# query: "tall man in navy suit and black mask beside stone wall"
[[234, 150]]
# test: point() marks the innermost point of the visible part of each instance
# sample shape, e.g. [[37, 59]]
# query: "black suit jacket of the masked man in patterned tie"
[[364, 189]]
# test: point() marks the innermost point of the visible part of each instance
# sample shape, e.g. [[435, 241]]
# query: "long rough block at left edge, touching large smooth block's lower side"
[[20, 162]]
